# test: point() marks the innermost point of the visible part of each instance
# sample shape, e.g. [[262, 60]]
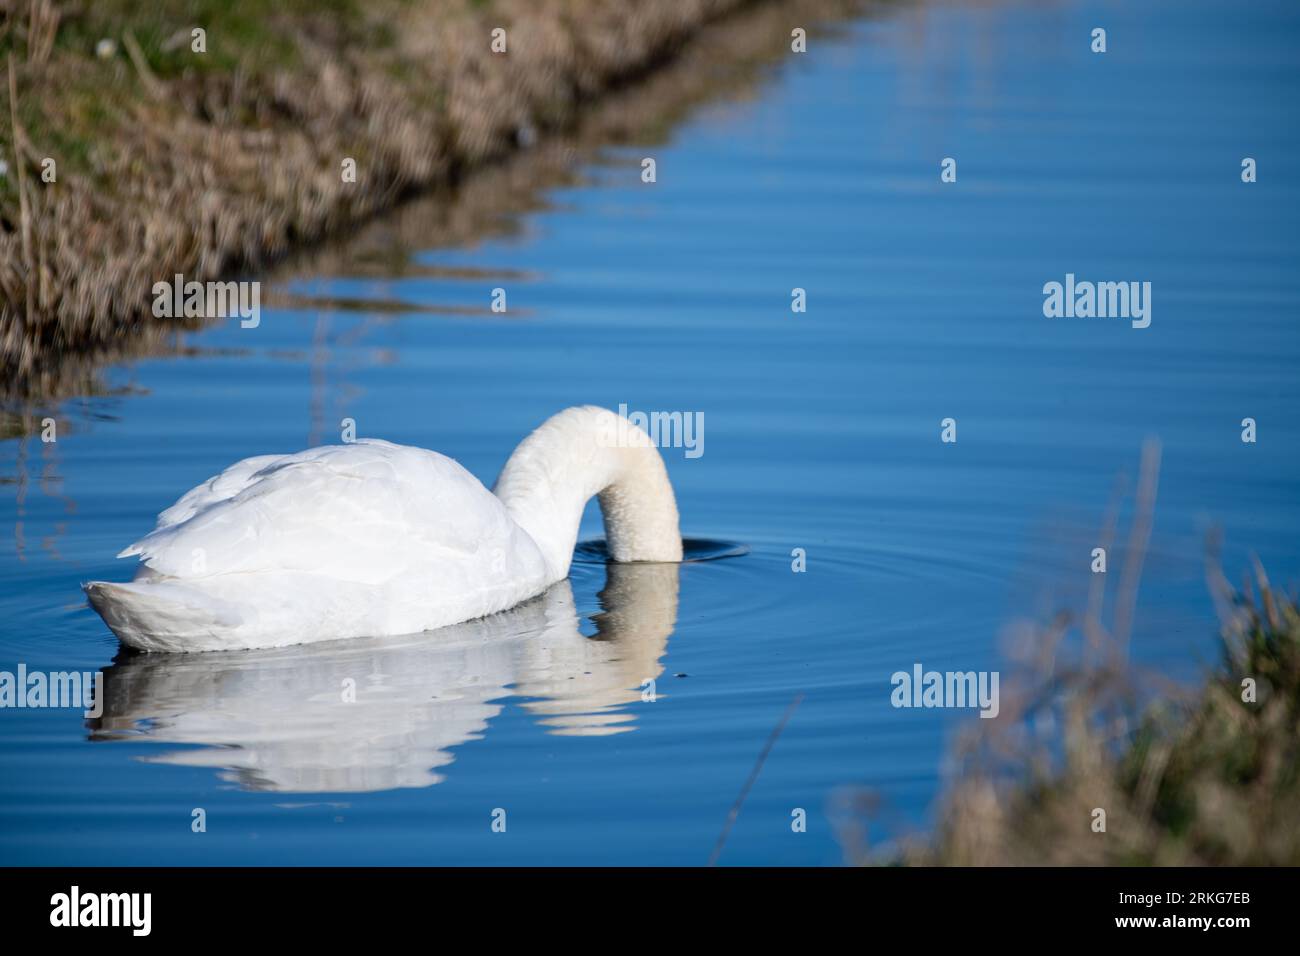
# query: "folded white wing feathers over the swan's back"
[[363, 512]]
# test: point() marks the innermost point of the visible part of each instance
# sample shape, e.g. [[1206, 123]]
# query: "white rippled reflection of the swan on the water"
[[279, 720]]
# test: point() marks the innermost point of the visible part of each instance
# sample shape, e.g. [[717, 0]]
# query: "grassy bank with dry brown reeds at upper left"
[[216, 163]]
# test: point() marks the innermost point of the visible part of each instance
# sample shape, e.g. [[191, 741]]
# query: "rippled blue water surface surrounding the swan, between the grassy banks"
[[822, 434]]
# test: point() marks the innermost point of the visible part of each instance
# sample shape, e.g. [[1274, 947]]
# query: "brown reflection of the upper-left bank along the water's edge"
[[727, 60]]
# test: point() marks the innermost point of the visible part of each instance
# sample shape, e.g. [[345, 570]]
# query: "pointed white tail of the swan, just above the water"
[[162, 616]]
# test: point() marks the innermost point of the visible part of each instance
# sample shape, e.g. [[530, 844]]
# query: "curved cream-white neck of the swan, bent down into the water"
[[575, 456]]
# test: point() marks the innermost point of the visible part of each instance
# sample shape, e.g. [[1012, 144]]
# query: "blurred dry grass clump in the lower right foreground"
[[1207, 776]]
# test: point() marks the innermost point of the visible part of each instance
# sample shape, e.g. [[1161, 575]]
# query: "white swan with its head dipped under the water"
[[374, 539]]
